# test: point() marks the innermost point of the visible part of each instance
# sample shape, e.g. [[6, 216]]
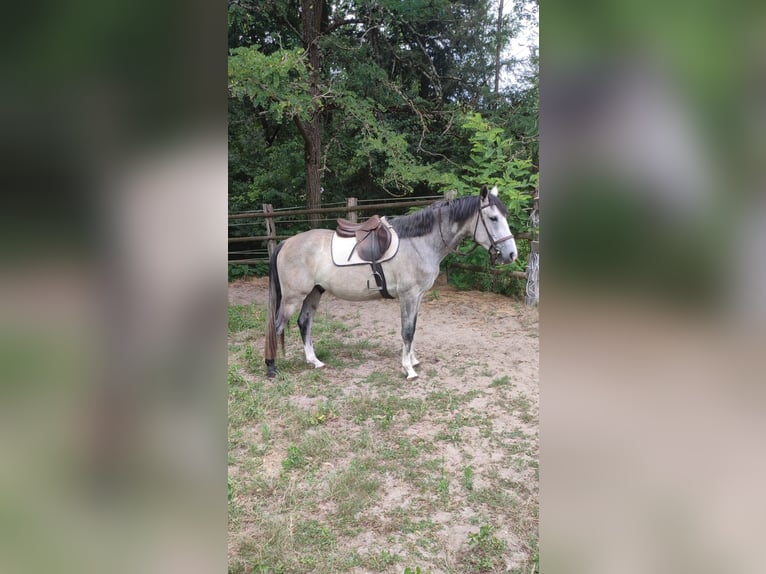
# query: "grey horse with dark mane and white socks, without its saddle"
[[301, 268]]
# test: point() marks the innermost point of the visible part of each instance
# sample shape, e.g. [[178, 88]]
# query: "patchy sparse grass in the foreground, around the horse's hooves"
[[332, 472]]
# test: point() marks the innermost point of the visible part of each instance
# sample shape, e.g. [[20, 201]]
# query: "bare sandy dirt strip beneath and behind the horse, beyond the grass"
[[453, 326]]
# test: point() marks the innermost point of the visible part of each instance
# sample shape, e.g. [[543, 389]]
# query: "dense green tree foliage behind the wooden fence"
[[403, 104]]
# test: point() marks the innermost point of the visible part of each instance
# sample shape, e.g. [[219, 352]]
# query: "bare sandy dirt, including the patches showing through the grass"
[[465, 340]]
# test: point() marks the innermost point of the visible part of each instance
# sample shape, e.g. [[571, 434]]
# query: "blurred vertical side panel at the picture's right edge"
[[653, 286]]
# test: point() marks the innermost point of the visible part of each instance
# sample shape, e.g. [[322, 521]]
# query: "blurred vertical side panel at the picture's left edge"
[[113, 287]]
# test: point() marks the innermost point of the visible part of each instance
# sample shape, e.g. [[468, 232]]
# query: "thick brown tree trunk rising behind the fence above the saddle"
[[311, 18]]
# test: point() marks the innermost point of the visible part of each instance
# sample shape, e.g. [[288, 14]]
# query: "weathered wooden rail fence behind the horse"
[[350, 211]]
